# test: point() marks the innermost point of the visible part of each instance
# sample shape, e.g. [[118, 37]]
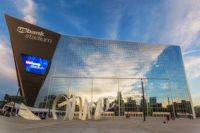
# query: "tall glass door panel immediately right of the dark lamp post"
[[158, 97]]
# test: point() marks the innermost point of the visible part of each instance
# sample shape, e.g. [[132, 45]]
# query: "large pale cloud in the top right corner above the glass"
[[183, 23]]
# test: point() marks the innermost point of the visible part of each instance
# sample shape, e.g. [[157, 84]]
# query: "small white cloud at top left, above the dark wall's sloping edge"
[[28, 9]]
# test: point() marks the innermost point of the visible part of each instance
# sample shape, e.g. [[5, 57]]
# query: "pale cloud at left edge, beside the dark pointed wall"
[[8, 77]]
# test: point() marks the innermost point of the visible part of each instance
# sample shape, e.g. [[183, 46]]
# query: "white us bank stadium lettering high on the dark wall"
[[33, 35]]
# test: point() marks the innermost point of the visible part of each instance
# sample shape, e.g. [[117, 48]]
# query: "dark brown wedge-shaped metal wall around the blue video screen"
[[32, 40]]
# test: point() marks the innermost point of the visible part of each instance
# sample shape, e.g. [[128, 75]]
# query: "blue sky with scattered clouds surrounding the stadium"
[[166, 22]]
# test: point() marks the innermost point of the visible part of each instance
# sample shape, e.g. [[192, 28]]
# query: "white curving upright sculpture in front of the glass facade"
[[84, 111]]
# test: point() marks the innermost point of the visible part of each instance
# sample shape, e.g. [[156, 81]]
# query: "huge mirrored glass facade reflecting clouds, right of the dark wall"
[[116, 71]]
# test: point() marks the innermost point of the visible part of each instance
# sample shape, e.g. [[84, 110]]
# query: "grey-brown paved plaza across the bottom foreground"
[[111, 125]]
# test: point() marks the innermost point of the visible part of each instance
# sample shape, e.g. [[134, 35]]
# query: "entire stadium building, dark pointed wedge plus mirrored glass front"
[[49, 63]]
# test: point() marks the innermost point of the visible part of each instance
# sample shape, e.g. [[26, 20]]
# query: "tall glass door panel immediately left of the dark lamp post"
[[130, 94]]
